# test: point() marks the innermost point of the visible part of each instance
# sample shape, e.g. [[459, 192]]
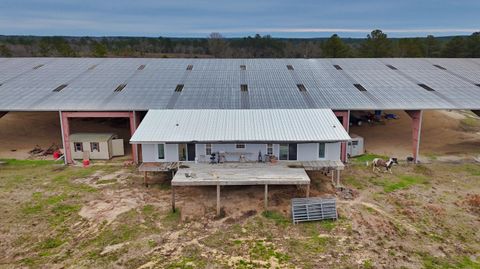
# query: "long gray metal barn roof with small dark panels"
[[27, 84]]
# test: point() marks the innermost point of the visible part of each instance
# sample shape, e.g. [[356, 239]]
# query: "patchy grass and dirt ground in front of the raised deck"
[[424, 216]]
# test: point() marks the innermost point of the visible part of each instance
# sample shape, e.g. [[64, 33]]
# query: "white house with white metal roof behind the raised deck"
[[240, 135]]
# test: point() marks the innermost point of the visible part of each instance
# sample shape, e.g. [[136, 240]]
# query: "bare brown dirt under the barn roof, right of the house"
[[443, 133]]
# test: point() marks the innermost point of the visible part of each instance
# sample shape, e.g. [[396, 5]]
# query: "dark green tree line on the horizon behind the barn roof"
[[376, 44]]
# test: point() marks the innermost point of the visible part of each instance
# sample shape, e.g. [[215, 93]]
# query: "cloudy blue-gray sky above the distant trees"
[[278, 18]]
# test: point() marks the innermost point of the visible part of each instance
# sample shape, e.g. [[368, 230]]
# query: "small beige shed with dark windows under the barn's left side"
[[100, 146]]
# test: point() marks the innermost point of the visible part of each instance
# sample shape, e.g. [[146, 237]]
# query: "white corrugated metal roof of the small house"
[[239, 125]]
